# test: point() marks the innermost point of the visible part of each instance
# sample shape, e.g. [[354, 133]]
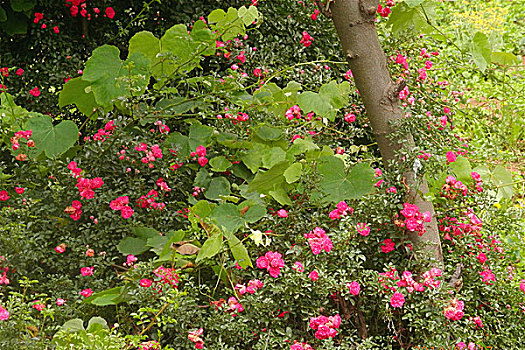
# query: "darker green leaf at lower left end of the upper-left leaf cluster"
[[74, 92]]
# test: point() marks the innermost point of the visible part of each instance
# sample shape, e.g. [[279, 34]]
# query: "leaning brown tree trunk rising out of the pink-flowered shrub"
[[354, 21]]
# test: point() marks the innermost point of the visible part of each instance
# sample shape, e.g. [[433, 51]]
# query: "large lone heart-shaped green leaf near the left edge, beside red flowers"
[[53, 140]]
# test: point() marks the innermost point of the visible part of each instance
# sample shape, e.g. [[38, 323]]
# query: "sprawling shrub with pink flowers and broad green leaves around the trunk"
[[154, 218]]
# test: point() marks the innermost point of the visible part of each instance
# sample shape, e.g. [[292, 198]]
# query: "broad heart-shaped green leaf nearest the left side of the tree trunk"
[[339, 186]]
